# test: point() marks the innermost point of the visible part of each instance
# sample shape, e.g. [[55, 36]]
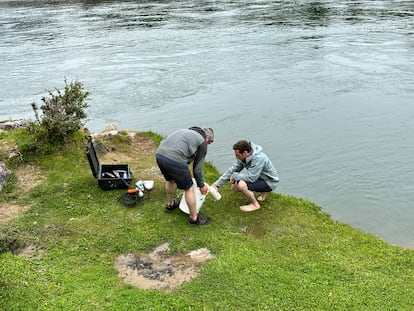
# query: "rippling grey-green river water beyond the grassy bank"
[[326, 87]]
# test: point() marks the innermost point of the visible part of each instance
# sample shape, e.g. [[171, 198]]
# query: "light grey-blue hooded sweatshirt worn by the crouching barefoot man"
[[256, 165]]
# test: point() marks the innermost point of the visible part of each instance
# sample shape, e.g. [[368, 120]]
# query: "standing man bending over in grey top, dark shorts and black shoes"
[[175, 153]]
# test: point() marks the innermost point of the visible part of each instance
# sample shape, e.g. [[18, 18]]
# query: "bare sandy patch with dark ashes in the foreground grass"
[[157, 271]]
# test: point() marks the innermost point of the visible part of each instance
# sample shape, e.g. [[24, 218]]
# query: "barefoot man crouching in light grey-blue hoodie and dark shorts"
[[253, 172]]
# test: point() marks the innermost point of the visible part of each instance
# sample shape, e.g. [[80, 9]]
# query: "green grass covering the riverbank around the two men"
[[289, 255]]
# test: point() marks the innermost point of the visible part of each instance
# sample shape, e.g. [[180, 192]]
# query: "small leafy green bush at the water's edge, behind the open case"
[[63, 113]]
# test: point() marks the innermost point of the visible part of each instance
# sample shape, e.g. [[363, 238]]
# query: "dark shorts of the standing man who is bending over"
[[175, 171]]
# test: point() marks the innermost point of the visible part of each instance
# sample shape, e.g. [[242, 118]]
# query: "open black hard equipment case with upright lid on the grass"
[[110, 176]]
